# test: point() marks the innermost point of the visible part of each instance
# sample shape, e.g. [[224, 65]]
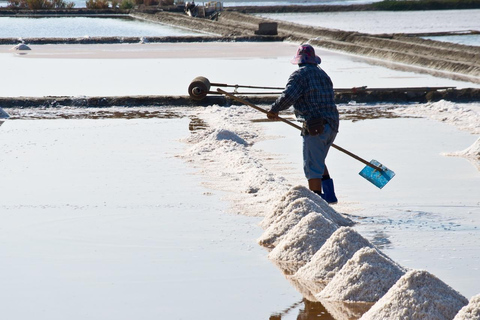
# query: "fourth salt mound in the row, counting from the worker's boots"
[[336, 251]]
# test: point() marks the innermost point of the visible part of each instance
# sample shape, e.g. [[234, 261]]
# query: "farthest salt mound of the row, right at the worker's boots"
[[303, 192]]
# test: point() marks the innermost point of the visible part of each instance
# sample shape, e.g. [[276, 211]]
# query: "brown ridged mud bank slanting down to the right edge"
[[430, 56]]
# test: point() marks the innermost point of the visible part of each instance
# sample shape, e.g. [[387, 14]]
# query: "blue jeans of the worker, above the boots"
[[315, 150]]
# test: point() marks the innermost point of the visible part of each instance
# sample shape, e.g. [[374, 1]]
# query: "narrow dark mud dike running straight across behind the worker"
[[342, 97]]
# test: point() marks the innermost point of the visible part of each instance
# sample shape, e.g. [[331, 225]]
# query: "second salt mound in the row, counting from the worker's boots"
[[288, 219]]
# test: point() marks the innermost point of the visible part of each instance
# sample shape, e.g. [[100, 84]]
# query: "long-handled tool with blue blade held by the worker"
[[374, 171]]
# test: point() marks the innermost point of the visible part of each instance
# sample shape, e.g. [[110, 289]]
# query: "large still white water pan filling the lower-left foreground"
[[100, 220]]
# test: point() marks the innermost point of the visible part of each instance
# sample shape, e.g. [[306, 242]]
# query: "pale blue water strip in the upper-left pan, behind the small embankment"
[[83, 26]]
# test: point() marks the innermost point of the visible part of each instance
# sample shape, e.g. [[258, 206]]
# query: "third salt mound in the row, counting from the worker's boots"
[[303, 240]]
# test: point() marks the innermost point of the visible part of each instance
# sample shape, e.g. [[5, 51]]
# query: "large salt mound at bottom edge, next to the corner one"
[[418, 295]]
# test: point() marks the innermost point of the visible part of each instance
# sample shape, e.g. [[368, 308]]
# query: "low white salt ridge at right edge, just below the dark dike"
[[465, 116]]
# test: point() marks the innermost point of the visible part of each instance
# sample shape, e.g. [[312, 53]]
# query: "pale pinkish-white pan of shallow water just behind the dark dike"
[[168, 69]]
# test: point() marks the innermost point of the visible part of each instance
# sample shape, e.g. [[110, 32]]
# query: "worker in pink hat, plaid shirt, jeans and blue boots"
[[310, 91]]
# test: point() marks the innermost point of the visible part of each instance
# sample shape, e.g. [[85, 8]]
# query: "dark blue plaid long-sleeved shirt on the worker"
[[310, 91]]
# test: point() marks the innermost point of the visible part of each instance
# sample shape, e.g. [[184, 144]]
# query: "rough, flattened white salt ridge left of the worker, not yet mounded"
[[224, 154]]
